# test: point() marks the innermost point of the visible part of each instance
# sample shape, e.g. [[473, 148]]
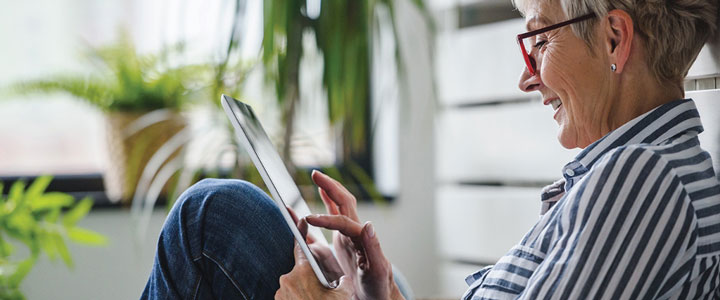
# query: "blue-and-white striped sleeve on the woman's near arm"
[[626, 231]]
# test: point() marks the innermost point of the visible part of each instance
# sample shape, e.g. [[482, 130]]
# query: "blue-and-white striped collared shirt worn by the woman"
[[636, 216]]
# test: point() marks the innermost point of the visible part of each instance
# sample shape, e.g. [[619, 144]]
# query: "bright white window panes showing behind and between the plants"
[[57, 134]]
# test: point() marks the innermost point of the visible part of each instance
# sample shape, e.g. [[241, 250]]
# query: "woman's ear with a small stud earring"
[[619, 38]]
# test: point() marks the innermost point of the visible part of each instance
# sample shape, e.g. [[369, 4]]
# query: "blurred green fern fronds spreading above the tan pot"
[[125, 80]]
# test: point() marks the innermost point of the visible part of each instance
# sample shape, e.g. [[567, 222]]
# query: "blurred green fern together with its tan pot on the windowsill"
[[126, 86]]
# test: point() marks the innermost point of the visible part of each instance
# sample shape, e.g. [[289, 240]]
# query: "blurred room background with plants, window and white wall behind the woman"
[[411, 103]]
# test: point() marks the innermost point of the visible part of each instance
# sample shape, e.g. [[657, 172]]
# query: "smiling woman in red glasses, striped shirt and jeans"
[[636, 214]]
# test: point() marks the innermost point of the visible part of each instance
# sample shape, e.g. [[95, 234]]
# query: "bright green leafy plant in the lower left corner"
[[42, 222]]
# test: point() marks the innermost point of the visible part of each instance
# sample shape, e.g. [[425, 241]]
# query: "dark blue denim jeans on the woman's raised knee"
[[223, 239]]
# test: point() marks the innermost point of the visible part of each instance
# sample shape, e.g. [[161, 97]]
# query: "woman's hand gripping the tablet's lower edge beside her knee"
[[301, 283]]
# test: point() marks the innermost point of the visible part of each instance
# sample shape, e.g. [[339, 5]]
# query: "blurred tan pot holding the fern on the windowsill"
[[129, 150]]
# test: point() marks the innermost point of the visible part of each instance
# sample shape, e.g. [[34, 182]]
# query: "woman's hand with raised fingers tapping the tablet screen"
[[356, 245]]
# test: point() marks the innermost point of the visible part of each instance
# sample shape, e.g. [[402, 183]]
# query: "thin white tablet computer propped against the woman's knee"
[[276, 176]]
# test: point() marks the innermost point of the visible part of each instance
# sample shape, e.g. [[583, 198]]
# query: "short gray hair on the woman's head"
[[674, 30]]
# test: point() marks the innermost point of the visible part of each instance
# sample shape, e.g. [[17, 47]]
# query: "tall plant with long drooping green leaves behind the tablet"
[[343, 33]]
